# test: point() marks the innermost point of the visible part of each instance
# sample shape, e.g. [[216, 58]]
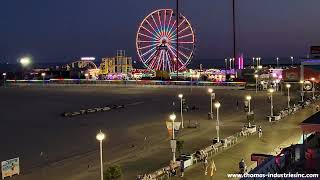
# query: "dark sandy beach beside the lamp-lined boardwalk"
[[33, 129]]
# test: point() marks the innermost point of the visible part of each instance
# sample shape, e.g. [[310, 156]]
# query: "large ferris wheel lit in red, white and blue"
[[156, 41]]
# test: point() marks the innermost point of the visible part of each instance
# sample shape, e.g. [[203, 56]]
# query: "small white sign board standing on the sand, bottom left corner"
[[10, 167]]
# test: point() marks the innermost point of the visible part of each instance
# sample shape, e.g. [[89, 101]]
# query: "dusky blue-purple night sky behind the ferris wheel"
[[61, 30]]
